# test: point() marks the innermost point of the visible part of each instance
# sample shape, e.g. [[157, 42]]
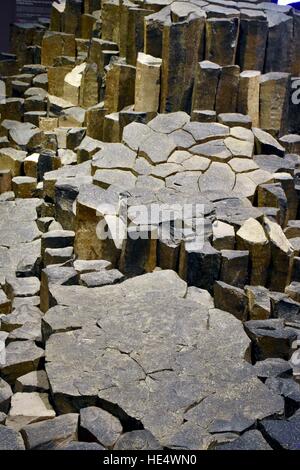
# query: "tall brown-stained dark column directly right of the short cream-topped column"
[[182, 42]]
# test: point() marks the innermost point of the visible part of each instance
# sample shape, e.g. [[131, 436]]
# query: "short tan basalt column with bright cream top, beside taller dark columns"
[[147, 83]]
